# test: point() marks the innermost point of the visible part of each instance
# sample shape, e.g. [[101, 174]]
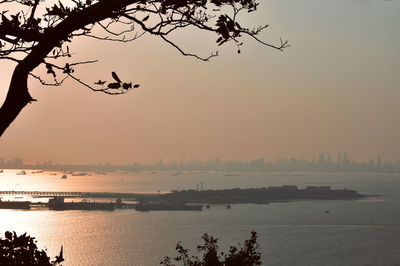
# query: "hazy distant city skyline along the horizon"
[[323, 163]]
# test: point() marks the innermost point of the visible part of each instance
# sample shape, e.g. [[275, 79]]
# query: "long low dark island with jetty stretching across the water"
[[180, 200]]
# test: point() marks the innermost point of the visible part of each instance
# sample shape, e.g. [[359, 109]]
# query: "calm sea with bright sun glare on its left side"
[[312, 232]]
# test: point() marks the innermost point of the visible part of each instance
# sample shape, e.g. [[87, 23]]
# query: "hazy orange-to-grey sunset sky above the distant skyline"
[[336, 89]]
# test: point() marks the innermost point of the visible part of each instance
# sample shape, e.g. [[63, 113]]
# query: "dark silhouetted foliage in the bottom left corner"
[[22, 250]]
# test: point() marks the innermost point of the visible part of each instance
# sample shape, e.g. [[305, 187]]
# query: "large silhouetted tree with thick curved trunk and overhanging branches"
[[35, 34]]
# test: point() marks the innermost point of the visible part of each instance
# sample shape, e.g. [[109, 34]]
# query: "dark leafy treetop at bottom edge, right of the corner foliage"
[[245, 255]]
